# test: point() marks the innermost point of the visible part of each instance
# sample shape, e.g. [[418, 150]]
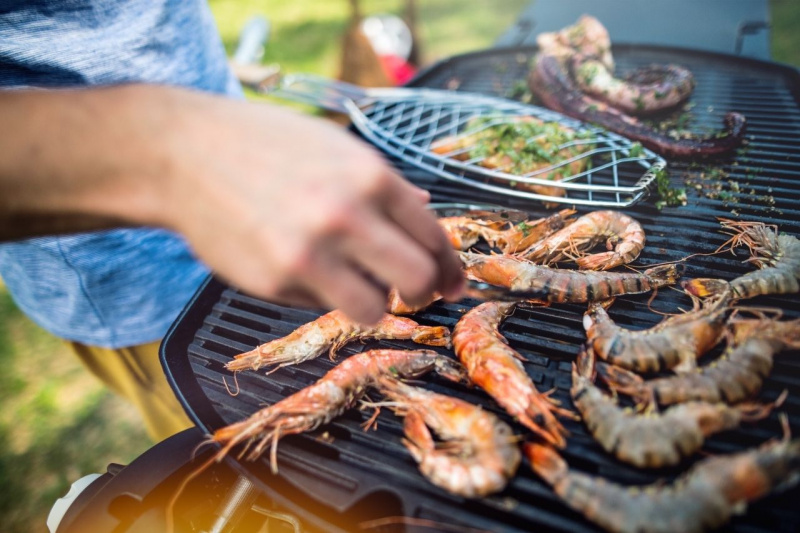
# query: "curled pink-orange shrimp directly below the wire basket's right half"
[[621, 233]]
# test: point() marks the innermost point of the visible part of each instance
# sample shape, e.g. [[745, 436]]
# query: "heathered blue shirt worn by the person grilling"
[[121, 287]]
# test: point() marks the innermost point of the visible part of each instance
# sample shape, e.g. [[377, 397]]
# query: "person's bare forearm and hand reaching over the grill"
[[283, 205]]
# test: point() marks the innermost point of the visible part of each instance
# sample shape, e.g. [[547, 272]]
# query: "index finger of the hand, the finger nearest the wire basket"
[[420, 224]]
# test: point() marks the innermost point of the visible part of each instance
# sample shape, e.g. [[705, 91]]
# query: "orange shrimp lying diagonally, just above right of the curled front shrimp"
[[495, 367]]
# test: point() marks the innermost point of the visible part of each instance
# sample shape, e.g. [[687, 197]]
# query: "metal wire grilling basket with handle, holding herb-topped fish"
[[434, 131]]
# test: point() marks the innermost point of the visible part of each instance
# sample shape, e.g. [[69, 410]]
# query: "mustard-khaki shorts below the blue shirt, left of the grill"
[[135, 373]]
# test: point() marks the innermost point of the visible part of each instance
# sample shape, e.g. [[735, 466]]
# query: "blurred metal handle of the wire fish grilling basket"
[[314, 90]]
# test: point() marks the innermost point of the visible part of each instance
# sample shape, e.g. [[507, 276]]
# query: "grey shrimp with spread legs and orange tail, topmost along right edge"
[[777, 256]]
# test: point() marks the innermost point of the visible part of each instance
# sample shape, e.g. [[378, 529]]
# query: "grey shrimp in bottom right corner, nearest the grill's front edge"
[[704, 498]]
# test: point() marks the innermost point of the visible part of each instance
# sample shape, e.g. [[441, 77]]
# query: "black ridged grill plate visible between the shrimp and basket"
[[355, 475]]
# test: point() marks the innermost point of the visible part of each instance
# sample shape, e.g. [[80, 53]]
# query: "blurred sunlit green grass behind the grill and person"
[[56, 422]]
